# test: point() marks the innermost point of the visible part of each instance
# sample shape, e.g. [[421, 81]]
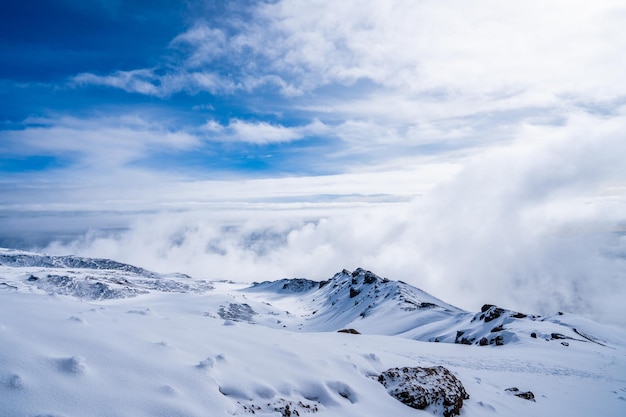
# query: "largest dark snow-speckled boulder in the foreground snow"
[[434, 389]]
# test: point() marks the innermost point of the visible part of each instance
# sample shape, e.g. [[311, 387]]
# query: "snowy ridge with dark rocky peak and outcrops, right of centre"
[[373, 305]]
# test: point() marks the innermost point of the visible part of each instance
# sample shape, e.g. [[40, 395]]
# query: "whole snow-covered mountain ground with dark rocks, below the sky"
[[94, 337]]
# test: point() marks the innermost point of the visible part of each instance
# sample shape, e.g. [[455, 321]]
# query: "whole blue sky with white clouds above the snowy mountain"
[[473, 149]]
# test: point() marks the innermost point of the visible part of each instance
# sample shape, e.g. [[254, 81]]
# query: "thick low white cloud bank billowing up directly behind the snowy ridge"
[[536, 225]]
